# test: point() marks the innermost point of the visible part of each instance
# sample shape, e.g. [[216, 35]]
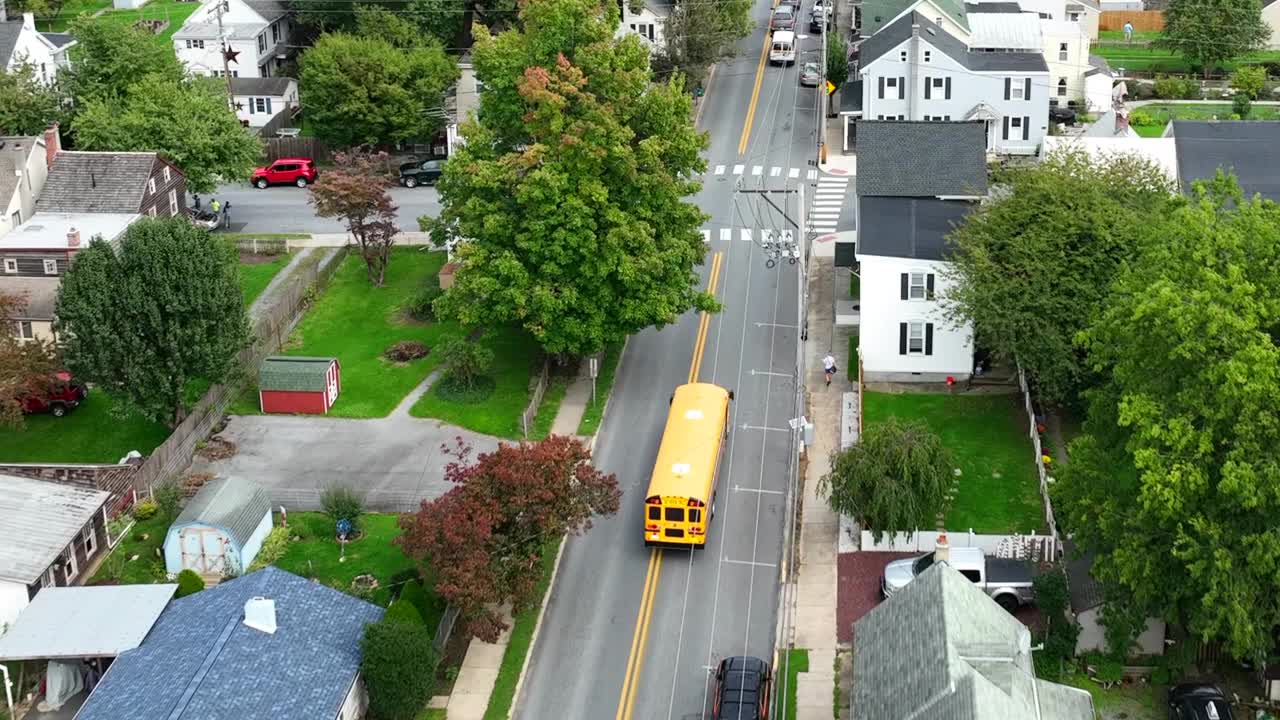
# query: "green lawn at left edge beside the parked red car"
[[92, 434]]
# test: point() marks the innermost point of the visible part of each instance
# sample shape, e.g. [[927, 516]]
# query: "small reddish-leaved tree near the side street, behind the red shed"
[[355, 193]]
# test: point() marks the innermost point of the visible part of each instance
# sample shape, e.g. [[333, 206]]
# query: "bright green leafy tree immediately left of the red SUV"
[[188, 122]]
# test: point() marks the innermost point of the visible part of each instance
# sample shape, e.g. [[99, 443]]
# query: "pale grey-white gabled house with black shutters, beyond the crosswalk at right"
[[916, 71]]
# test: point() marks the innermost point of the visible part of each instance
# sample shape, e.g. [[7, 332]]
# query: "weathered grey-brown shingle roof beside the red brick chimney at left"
[[97, 183]]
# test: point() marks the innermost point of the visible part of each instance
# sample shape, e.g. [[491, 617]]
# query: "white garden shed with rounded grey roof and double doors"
[[222, 528]]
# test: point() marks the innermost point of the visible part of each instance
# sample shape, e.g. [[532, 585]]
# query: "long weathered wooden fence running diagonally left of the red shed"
[[271, 330]]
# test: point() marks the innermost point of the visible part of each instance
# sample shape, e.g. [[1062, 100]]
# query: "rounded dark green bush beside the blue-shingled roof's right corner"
[[399, 666]]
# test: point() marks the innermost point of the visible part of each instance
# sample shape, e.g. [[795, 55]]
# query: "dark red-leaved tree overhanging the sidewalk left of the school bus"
[[484, 540]]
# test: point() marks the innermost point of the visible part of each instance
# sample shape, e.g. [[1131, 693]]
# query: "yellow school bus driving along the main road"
[[683, 490]]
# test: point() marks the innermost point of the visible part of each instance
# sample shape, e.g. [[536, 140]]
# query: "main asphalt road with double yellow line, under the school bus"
[[724, 600]]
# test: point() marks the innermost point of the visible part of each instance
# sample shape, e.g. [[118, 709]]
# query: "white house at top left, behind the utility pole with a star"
[[258, 30]]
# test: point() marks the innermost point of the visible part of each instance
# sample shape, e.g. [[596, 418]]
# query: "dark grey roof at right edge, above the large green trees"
[[1249, 149]]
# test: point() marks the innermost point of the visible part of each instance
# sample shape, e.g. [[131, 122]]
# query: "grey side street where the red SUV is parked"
[[284, 209]]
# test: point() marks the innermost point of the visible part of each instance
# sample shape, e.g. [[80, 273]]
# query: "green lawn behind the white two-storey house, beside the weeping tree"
[[988, 434]]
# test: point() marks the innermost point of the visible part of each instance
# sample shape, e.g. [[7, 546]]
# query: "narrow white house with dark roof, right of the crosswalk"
[[916, 183]]
